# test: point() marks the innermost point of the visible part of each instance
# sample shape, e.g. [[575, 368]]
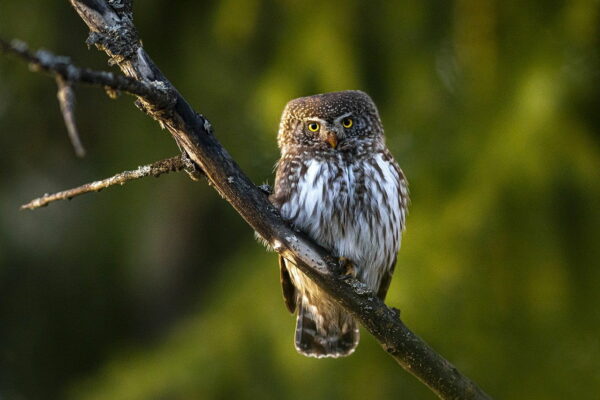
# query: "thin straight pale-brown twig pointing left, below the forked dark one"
[[155, 169]]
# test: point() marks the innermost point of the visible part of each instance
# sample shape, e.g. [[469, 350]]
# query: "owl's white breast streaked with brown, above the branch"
[[353, 208]]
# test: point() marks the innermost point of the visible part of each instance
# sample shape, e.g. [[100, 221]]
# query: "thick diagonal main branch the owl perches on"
[[112, 31]]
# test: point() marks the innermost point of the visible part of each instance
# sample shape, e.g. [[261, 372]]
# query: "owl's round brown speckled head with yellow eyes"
[[330, 122]]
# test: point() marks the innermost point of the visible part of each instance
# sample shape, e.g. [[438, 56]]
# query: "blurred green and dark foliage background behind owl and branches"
[[157, 290]]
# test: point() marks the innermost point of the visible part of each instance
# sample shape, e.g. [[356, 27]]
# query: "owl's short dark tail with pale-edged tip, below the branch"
[[334, 334]]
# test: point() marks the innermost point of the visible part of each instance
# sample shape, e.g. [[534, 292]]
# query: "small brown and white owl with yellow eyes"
[[338, 183]]
